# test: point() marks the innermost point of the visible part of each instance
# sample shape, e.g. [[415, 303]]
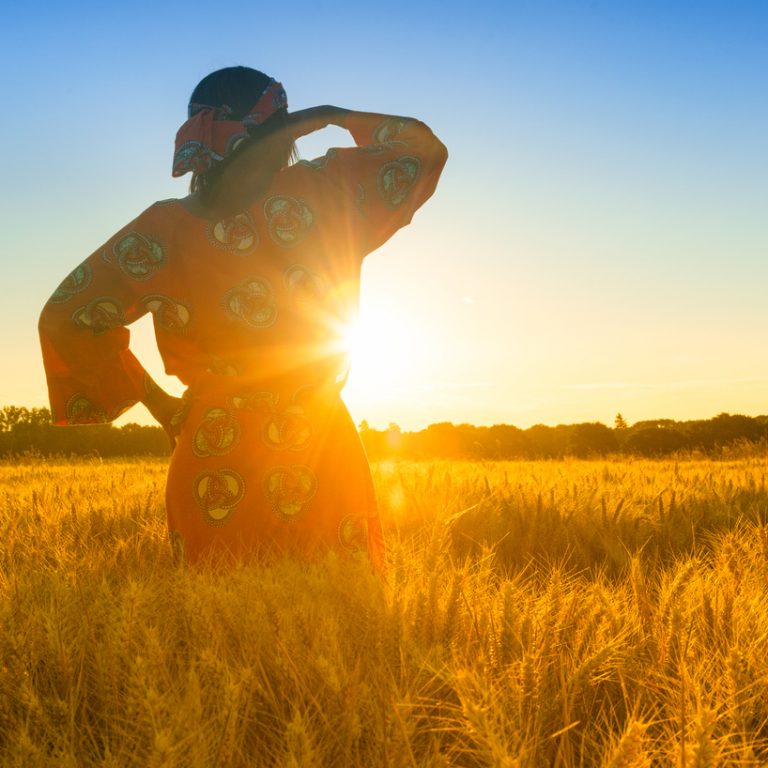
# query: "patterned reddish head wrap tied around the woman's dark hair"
[[210, 134]]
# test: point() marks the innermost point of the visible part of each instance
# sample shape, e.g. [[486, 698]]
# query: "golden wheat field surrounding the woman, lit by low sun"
[[564, 613]]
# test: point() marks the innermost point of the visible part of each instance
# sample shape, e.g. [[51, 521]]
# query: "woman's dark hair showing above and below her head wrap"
[[239, 89]]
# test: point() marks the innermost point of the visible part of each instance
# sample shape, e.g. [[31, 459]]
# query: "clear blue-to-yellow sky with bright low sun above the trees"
[[598, 242]]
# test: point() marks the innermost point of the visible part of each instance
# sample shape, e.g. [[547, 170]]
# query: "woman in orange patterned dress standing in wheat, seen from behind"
[[250, 280]]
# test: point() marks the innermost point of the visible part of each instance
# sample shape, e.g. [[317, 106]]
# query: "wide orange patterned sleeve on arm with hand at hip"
[[92, 375]]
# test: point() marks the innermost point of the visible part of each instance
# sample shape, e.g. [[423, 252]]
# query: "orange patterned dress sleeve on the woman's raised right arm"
[[391, 172]]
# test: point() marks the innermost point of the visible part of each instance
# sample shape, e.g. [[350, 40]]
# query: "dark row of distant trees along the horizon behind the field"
[[25, 430]]
